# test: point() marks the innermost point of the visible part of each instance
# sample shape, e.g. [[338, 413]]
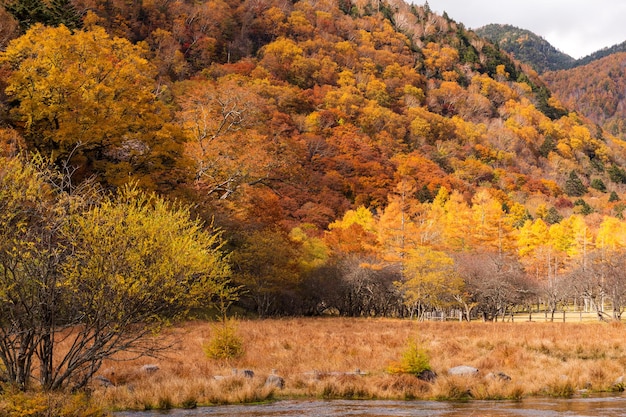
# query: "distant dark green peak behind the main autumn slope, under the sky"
[[527, 47]]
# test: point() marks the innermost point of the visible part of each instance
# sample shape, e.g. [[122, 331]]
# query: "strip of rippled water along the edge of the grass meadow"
[[605, 406]]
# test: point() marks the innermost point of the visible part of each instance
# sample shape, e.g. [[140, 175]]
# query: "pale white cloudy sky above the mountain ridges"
[[576, 27]]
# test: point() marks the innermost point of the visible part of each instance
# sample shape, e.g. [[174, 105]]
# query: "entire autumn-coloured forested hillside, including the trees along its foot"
[[360, 157]]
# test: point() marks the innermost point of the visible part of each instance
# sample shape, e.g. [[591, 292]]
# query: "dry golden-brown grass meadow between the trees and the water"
[[317, 357]]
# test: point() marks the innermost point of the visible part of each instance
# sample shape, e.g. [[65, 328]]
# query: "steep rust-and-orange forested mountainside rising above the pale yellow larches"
[[345, 91]]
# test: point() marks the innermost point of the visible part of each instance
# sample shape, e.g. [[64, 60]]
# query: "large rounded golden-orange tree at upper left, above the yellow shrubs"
[[93, 97]]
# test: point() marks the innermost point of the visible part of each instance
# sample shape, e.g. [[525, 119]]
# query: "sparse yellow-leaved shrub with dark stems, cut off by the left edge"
[[31, 249]]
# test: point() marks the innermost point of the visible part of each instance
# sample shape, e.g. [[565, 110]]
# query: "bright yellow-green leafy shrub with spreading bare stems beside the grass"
[[137, 262]]
